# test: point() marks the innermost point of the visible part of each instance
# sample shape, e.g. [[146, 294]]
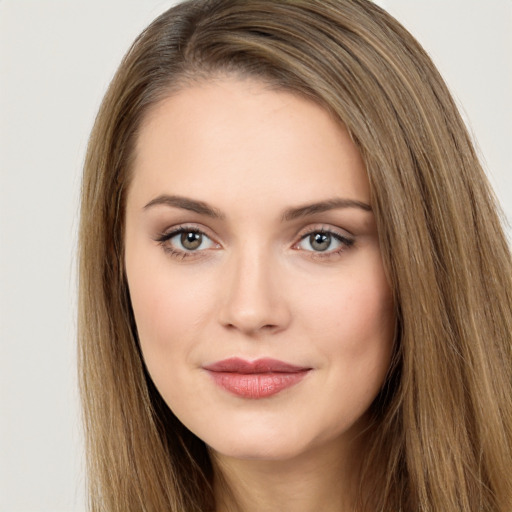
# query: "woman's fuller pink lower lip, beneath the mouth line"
[[257, 385]]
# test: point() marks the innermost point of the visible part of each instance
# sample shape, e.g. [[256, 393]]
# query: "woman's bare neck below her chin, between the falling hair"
[[322, 479]]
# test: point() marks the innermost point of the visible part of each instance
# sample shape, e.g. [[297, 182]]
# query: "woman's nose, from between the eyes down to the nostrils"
[[253, 299]]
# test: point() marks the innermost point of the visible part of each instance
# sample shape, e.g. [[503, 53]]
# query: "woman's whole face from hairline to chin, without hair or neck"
[[262, 307]]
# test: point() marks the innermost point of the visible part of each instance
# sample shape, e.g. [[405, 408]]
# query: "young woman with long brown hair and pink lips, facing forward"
[[295, 292]]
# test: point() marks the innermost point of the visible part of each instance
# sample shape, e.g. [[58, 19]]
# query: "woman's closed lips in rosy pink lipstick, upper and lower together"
[[255, 379]]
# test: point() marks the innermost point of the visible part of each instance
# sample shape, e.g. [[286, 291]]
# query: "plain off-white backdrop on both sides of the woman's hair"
[[56, 59]]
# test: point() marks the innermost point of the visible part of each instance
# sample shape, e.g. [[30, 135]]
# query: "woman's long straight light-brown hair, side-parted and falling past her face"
[[441, 437]]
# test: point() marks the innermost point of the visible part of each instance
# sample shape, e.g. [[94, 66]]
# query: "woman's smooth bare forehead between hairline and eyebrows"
[[239, 138]]
